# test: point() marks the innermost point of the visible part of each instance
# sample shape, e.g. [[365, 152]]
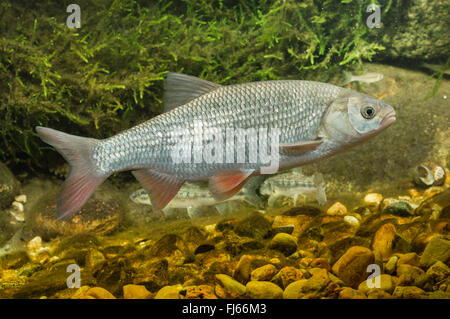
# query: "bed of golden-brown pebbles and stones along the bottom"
[[297, 254]]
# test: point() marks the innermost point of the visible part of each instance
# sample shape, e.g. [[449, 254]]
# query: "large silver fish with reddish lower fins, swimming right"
[[306, 121]]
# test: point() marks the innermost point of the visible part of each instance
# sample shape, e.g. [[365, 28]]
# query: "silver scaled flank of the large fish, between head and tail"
[[293, 105]]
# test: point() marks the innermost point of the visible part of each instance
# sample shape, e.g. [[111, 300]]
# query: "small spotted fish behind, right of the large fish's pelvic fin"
[[295, 185]]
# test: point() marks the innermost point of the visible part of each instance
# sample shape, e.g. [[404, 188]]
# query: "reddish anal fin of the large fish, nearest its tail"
[[160, 187]]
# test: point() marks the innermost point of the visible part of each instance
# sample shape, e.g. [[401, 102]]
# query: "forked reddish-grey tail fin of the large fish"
[[83, 178]]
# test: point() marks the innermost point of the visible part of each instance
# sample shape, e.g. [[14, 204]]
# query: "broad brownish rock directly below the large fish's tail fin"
[[96, 217]]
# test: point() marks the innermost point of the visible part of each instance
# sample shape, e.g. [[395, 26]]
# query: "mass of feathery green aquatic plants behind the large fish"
[[107, 75]]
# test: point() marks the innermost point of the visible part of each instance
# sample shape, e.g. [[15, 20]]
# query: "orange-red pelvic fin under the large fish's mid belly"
[[226, 184]]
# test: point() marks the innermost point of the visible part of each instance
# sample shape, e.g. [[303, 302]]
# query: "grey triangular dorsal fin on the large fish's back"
[[181, 88]]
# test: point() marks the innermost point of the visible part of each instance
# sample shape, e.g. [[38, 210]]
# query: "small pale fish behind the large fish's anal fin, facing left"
[[192, 196]]
